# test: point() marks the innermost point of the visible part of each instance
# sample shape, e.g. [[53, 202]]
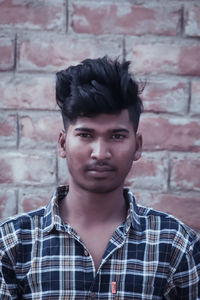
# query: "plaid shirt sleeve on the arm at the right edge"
[[185, 283]]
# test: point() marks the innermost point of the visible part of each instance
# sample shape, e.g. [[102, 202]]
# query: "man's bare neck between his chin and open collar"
[[89, 208]]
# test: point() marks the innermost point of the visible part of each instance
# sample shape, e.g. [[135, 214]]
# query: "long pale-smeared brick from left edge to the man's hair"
[[27, 92]]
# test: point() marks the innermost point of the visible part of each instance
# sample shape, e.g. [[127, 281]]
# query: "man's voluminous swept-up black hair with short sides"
[[97, 86]]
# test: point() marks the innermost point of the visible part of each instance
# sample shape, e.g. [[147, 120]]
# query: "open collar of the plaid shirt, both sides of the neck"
[[53, 220]]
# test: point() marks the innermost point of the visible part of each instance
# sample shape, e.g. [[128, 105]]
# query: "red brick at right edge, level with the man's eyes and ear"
[[172, 133]]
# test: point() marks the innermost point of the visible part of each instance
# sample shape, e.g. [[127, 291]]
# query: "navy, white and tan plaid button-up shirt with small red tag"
[[150, 256]]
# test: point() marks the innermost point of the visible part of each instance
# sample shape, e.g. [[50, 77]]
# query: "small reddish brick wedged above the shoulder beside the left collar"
[[31, 199]]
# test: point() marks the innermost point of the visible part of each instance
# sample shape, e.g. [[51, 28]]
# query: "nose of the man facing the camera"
[[100, 150]]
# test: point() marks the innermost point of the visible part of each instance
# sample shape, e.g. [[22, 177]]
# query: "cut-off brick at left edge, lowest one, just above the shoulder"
[[8, 204]]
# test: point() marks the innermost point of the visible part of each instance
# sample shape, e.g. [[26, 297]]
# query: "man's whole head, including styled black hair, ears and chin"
[[101, 107]]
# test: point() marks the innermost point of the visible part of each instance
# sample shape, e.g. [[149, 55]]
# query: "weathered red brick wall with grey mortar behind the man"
[[161, 38]]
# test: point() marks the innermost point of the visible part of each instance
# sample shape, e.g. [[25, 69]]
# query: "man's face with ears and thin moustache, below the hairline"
[[100, 151]]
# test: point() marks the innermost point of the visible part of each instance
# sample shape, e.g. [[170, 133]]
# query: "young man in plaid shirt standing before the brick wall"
[[93, 241]]
